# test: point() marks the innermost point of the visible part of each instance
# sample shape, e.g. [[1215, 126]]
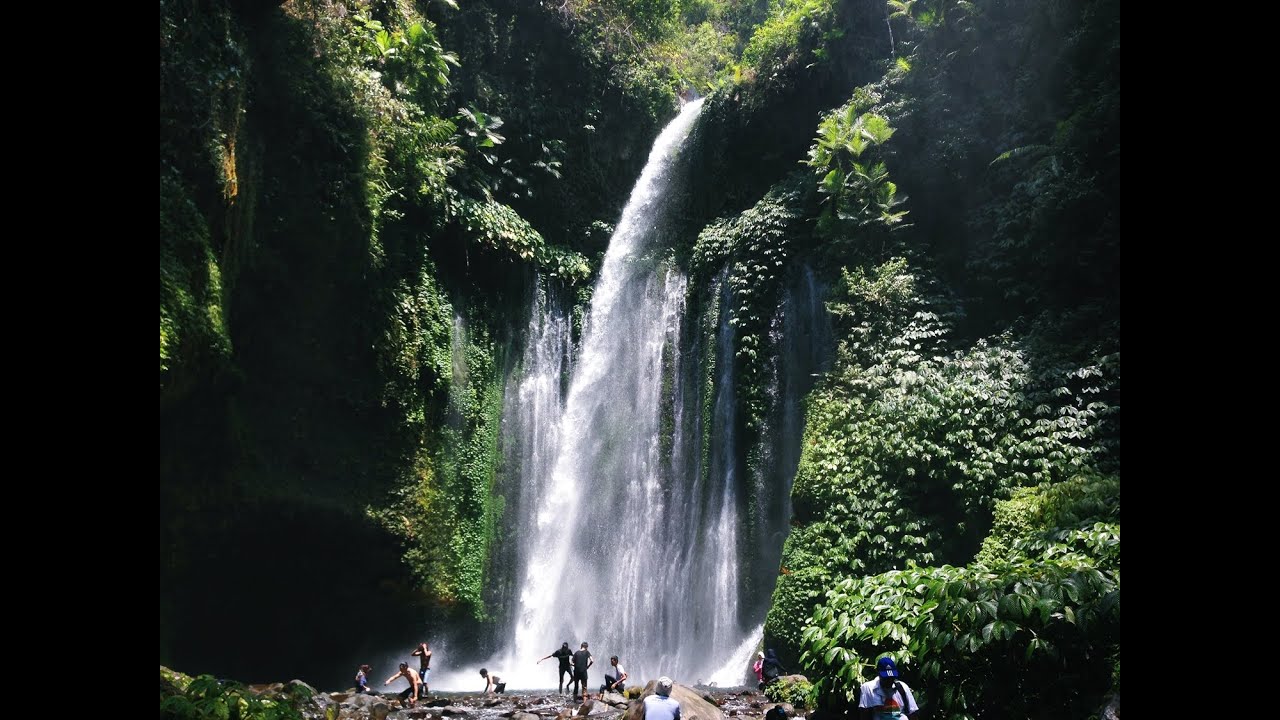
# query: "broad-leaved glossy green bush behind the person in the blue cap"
[[1025, 635]]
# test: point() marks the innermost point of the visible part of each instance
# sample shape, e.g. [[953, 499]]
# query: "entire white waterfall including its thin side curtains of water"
[[627, 509]]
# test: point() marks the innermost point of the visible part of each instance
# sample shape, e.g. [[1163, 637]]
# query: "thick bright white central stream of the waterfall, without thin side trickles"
[[602, 558]]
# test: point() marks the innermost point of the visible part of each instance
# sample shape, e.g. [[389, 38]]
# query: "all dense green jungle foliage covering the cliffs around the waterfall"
[[358, 195]]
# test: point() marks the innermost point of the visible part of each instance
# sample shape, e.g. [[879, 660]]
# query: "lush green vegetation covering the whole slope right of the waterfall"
[[977, 335]]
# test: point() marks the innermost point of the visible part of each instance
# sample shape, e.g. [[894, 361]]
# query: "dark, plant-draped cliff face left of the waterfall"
[[344, 254]]
